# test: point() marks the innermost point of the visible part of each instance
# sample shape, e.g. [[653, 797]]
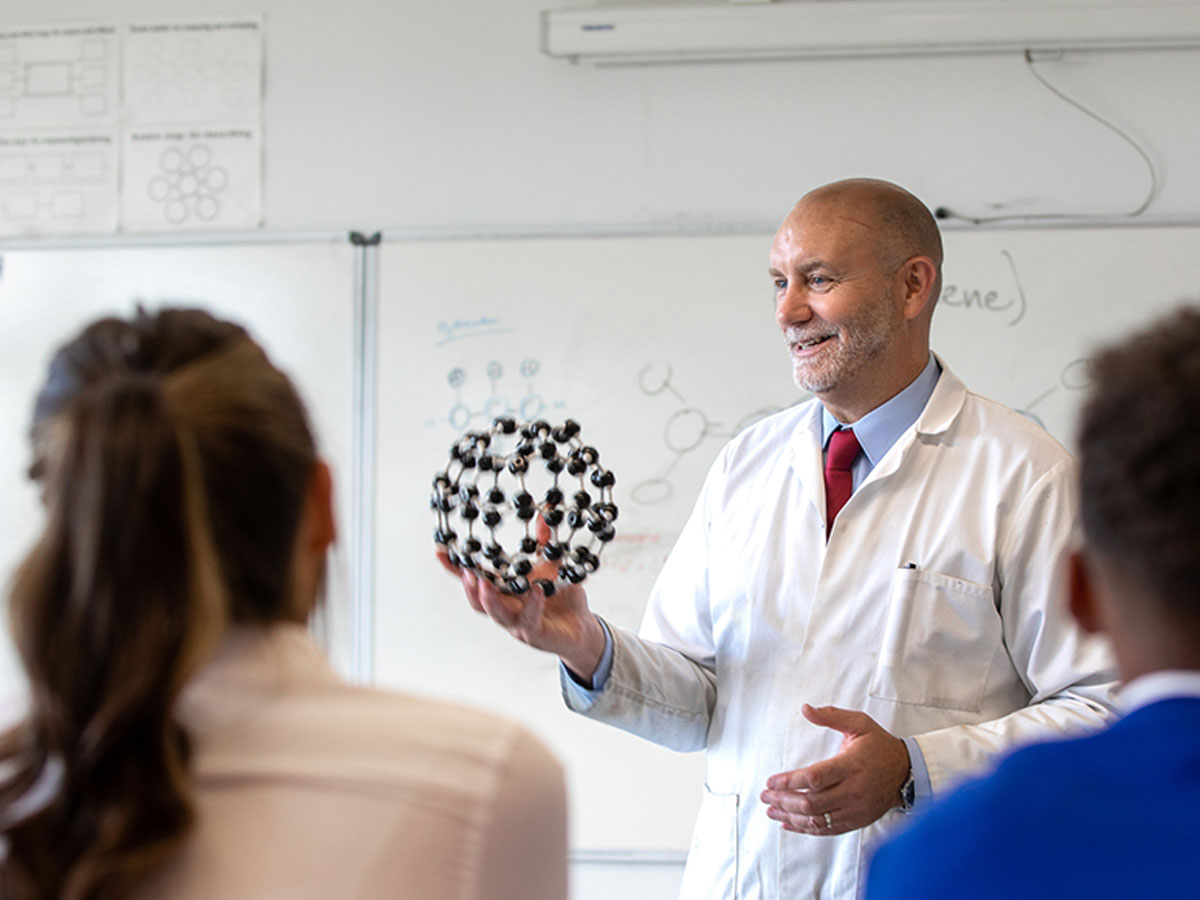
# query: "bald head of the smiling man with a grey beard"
[[857, 271]]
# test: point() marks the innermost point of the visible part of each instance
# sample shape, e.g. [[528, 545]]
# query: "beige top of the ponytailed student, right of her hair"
[[310, 788]]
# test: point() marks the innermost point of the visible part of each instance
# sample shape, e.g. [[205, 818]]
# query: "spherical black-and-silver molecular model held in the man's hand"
[[493, 489]]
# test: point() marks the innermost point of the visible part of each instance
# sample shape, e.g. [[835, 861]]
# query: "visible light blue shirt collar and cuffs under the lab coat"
[[877, 433]]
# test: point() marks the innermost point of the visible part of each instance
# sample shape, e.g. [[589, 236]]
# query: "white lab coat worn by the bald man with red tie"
[[937, 608]]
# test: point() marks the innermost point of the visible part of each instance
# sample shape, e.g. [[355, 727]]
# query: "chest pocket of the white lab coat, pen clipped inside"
[[939, 644]]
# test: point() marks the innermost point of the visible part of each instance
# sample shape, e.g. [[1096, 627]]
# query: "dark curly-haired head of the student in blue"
[[1138, 577]]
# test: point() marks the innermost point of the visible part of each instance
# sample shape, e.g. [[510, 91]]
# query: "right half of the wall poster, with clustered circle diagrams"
[[193, 147]]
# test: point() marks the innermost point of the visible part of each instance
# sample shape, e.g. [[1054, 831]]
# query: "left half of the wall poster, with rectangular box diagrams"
[[59, 95]]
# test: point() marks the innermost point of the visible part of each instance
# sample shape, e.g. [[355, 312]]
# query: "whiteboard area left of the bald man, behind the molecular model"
[[659, 362]]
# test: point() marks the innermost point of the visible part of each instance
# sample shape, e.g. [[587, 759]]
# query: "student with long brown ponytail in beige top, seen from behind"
[[184, 737]]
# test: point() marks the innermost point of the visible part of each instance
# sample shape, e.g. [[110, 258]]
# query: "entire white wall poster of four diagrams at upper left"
[[178, 149]]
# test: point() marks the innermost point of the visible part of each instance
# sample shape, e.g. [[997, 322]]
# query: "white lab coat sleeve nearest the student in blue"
[[1070, 676]]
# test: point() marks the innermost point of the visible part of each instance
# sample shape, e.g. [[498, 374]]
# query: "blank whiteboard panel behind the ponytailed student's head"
[[297, 299]]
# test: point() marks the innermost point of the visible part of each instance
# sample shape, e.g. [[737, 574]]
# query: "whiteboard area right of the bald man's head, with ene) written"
[[1055, 296]]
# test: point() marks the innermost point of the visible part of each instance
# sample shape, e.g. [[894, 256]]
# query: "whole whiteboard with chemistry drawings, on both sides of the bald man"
[[662, 349]]
